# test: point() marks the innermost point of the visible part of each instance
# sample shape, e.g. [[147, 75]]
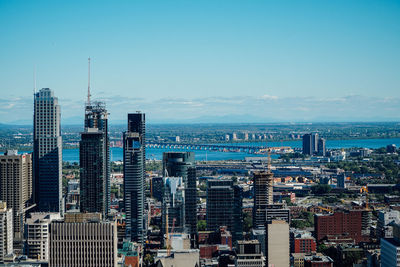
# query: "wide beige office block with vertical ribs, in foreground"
[[83, 242]]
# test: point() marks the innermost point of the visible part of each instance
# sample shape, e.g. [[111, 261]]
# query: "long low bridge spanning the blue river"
[[221, 147]]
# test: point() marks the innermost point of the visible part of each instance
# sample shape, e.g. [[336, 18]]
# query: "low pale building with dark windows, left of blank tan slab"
[[249, 254]]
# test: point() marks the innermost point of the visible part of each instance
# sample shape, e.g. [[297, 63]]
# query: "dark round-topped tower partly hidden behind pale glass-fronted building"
[[182, 164]]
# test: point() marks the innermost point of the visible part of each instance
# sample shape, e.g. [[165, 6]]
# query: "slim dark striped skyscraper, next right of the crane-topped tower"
[[134, 176]]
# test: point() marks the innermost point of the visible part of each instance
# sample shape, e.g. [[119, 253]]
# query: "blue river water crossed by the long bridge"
[[72, 155]]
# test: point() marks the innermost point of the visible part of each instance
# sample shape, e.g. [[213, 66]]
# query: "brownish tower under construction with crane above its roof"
[[263, 195]]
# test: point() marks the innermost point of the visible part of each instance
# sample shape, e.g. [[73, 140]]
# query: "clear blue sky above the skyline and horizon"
[[182, 60]]
